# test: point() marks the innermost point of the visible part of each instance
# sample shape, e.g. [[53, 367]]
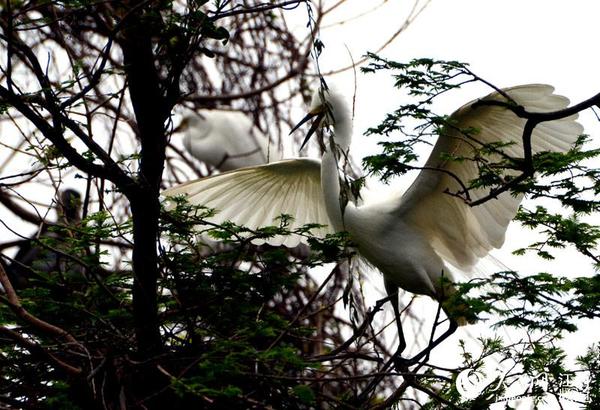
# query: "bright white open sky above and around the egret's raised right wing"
[[507, 42]]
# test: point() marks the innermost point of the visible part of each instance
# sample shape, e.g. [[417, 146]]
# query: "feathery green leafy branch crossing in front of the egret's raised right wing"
[[426, 80]]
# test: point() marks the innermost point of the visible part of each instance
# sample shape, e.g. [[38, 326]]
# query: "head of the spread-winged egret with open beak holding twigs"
[[328, 109]]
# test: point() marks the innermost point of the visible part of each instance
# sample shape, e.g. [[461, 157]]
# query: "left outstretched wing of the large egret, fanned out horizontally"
[[255, 196]]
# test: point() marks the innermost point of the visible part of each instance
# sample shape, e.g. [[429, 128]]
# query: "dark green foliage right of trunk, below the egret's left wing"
[[221, 309]]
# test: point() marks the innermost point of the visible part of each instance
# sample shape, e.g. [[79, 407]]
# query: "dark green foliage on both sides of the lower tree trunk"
[[227, 346]]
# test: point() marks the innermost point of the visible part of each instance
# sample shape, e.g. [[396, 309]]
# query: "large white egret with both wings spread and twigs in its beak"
[[411, 239]]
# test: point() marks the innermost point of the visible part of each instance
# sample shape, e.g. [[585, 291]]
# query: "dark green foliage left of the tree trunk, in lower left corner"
[[68, 286]]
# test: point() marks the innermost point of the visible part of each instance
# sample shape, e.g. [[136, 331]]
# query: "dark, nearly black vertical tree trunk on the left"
[[151, 113]]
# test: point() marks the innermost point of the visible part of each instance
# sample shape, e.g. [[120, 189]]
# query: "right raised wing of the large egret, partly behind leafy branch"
[[463, 234]]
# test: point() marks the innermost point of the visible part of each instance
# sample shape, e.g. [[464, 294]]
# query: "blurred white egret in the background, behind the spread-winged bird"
[[227, 140]]
